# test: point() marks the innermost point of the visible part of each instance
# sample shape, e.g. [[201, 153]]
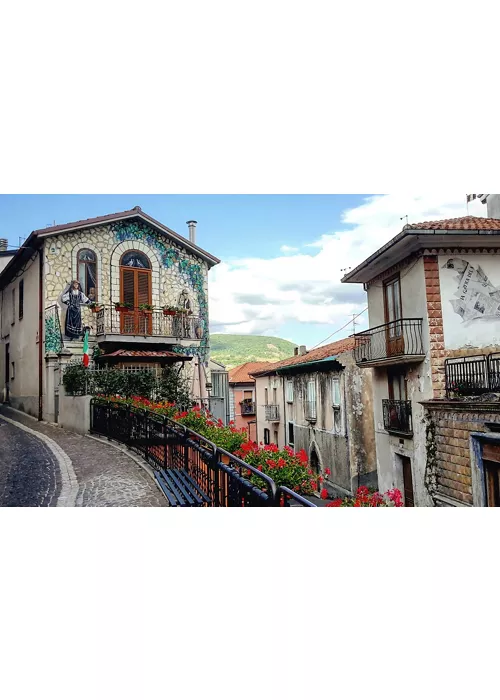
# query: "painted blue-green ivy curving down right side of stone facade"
[[191, 272]]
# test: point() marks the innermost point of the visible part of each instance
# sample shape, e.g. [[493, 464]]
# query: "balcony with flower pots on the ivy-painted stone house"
[[149, 327]]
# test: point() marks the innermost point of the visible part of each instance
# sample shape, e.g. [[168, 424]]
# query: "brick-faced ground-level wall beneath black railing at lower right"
[[449, 473]]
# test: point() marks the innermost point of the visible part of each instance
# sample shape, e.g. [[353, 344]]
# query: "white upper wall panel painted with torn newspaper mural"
[[470, 297]]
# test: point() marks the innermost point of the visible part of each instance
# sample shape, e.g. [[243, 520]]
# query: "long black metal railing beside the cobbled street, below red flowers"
[[165, 444]]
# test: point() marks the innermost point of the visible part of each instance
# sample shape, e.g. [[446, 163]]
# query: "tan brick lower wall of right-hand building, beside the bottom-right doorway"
[[452, 468]]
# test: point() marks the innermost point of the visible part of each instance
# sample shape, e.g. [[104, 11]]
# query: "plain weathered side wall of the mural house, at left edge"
[[22, 337]]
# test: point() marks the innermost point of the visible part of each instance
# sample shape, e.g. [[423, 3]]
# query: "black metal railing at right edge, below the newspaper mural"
[[472, 375]]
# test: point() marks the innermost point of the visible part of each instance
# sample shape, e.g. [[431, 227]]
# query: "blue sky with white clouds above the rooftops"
[[282, 255]]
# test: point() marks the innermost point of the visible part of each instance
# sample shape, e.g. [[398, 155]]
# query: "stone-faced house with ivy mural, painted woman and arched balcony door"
[[126, 259]]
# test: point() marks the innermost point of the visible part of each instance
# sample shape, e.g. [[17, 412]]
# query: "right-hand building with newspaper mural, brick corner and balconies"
[[432, 344]]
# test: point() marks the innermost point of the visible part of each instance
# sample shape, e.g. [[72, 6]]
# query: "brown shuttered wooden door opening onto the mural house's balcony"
[[135, 289]]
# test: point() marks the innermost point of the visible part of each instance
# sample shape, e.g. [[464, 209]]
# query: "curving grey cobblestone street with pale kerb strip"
[[66, 469]]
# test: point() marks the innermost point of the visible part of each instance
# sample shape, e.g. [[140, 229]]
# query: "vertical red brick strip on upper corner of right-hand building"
[[436, 335]]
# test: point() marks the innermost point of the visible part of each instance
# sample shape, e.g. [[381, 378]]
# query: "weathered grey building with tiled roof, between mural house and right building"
[[320, 401]]
